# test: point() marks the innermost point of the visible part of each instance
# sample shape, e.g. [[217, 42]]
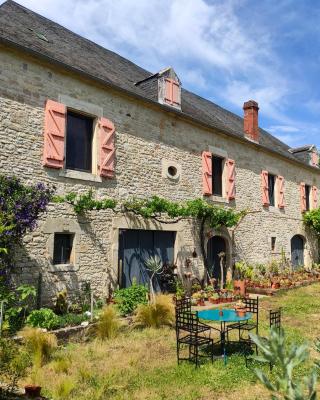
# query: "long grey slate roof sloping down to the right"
[[22, 28]]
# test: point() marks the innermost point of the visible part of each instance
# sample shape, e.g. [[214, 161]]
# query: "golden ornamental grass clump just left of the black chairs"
[[156, 314]]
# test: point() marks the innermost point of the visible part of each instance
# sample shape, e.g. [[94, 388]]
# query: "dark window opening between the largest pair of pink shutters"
[[79, 142]]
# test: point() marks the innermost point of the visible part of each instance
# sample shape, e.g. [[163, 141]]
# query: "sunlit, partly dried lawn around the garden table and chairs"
[[141, 363]]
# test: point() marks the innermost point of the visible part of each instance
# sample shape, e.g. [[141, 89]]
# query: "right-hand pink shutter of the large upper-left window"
[[107, 148]]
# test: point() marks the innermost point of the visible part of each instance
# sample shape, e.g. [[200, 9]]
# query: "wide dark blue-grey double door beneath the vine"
[[137, 246]]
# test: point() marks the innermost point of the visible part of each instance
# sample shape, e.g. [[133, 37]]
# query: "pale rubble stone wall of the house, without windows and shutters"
[[148, 139]]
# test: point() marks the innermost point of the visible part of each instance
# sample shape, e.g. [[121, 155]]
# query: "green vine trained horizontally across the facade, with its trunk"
[[162, 210]]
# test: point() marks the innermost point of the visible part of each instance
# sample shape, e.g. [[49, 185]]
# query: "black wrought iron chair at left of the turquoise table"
[[190, 332]]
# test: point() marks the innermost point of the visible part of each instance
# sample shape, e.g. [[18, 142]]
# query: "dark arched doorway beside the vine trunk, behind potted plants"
[[216, 245]]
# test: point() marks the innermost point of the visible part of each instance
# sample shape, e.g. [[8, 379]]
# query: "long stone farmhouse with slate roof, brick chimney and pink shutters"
[[81, 117]]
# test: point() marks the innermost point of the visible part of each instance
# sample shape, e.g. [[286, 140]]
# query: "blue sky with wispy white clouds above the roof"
[[227, 51]]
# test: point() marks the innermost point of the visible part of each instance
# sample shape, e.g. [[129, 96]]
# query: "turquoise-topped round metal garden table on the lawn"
[[227, 316]]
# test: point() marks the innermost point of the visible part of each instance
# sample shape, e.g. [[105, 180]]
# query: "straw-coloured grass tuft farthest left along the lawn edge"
[[40, 345]]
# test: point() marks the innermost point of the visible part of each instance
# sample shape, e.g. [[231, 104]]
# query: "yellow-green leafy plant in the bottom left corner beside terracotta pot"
[[14, 362]]
